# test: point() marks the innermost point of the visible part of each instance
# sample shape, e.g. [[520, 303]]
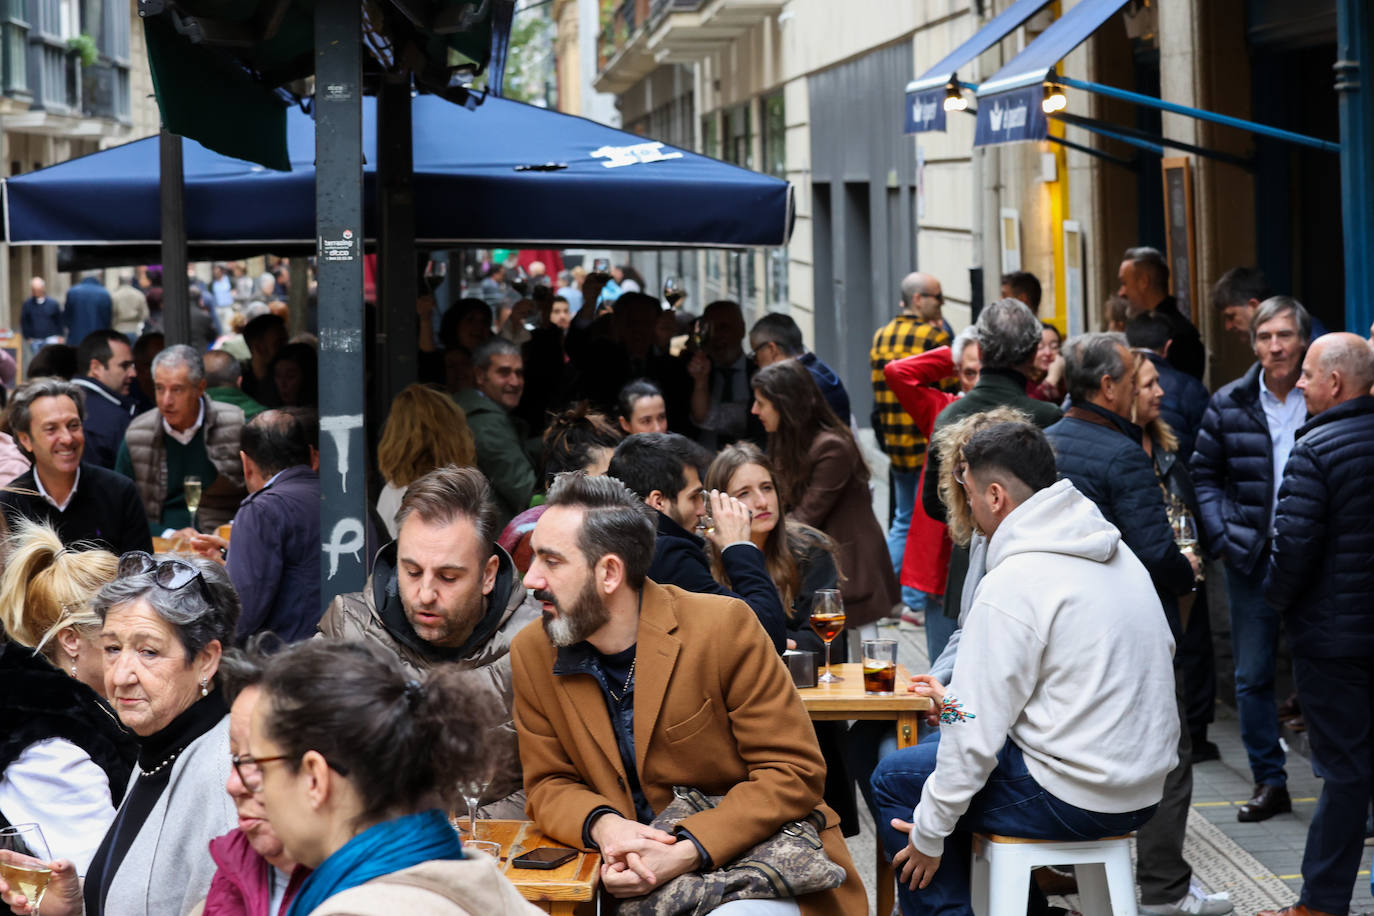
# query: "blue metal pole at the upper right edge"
[[1355, 61]]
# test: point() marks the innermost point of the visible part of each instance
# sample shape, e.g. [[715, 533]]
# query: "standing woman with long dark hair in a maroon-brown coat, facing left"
[[824, 483]]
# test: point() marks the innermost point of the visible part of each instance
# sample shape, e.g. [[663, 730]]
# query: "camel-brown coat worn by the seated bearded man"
[[715, 709]]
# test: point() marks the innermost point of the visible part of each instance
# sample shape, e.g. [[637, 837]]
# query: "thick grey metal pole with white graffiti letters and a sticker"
[[339, 226]]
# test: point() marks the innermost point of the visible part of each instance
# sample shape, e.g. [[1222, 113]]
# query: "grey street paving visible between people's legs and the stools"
[[1258, 865]]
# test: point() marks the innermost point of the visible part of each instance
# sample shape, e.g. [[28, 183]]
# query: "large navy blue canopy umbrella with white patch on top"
[[501, 174]]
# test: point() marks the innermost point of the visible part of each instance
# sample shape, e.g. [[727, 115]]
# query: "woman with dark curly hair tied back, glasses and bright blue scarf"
[[350, 757]]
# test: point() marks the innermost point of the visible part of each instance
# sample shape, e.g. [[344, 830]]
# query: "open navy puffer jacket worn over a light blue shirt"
[[1233, 472]]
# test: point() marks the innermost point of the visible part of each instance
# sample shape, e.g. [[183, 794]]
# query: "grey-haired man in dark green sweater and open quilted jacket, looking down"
[[188, 437]]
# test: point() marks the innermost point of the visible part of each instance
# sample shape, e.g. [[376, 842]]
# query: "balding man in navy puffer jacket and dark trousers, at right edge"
[[1321, 580]]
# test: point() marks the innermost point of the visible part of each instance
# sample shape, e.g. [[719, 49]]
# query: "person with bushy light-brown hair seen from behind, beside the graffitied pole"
[[424, 431]]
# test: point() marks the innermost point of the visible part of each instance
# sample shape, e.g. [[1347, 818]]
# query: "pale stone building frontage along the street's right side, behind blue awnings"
[[814, 91]]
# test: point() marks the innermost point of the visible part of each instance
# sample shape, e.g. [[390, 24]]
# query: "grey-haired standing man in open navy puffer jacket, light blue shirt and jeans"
[[1243, 446]]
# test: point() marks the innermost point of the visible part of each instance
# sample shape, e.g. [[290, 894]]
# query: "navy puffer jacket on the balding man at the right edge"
[[1321, 577]]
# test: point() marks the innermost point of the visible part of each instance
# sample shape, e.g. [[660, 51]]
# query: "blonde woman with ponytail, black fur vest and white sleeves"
[[65, 760]]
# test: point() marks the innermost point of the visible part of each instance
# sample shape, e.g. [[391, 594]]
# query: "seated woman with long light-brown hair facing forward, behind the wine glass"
[[800, 561]]
